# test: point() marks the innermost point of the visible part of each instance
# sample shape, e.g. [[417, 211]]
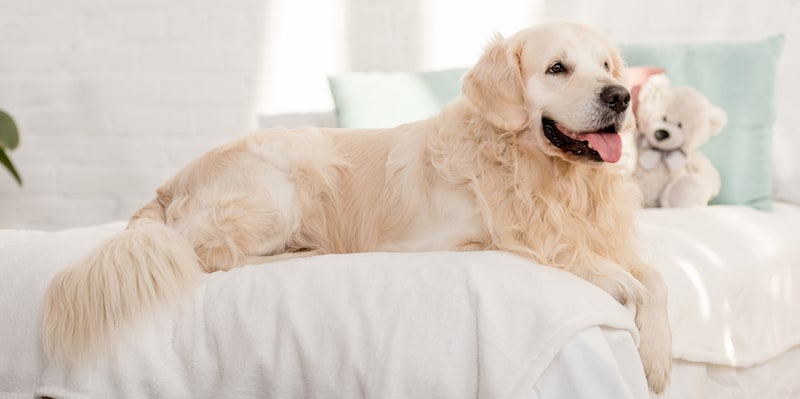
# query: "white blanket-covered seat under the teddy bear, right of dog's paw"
[[732, 273]]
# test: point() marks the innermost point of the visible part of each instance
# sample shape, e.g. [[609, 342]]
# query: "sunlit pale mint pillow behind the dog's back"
[[388, 99]]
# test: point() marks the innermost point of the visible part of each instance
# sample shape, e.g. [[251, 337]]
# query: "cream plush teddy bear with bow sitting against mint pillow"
[[673, 122]]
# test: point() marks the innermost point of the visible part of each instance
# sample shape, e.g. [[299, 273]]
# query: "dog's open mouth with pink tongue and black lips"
[[604, 145]]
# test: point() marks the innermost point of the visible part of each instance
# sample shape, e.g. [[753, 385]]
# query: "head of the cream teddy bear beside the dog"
[[671, 118]]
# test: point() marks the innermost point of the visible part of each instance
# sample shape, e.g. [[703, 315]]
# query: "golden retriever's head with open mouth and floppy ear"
[[559, 86]]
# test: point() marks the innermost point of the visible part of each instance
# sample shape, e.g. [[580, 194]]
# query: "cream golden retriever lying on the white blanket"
[[522, 162]]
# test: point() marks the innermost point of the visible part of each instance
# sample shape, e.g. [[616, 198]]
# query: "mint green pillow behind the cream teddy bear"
[[740, 78]]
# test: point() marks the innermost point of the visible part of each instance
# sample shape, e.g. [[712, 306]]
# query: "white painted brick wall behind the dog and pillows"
[[112, 96]]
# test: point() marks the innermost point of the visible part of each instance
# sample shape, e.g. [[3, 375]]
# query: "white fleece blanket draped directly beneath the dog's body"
[[439, 324]]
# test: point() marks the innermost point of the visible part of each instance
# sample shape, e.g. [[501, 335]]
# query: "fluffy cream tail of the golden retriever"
[[88, 304]]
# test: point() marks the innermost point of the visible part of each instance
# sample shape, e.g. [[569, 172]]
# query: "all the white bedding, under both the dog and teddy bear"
[[438, 324]]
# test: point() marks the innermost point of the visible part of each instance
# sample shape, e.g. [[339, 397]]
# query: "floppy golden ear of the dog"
[[496, 87]]
